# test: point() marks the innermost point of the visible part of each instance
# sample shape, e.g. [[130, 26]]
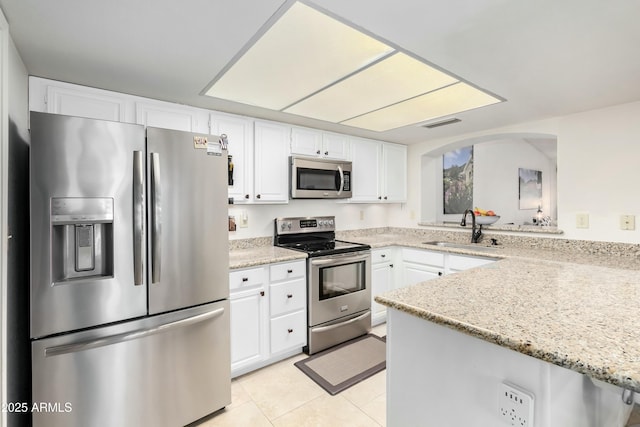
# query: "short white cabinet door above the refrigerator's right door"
[[172, 116]]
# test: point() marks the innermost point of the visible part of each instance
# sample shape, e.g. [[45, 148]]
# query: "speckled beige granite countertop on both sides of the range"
[[571, 303]]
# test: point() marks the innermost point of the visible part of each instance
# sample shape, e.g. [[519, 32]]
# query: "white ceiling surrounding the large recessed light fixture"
[[545, 57]]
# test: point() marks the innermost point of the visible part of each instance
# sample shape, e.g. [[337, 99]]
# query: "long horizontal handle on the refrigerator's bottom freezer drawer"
[[132, 335]]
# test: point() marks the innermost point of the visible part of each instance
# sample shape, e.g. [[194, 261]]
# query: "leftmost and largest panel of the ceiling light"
[[304, 50]]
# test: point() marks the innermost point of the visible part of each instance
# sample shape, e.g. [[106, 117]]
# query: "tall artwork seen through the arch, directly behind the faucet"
[[457, 173]]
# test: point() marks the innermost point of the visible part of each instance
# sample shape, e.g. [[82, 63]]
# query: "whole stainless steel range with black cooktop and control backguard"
[[338, 280]]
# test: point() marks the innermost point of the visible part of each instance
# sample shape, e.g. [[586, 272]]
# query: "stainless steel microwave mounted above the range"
[[313, 178]]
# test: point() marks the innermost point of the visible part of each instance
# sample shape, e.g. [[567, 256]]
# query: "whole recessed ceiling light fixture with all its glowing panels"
[[308, 63]]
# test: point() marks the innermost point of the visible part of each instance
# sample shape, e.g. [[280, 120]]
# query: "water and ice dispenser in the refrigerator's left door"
[[82, 238]]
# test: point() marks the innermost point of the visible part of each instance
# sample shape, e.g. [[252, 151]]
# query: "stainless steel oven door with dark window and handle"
[[340, 286]]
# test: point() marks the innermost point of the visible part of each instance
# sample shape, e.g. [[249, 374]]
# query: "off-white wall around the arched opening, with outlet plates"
[[598, 152]]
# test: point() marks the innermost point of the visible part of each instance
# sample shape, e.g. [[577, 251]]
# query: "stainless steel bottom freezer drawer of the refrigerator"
[[168, 370]]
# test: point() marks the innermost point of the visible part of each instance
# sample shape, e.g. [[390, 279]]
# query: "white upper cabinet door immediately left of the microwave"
[[271, 162]]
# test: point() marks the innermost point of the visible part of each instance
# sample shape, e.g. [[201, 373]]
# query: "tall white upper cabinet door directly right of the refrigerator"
[[239, 131]]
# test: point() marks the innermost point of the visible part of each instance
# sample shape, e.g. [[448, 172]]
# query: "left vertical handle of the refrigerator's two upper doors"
[[138, 218]]
